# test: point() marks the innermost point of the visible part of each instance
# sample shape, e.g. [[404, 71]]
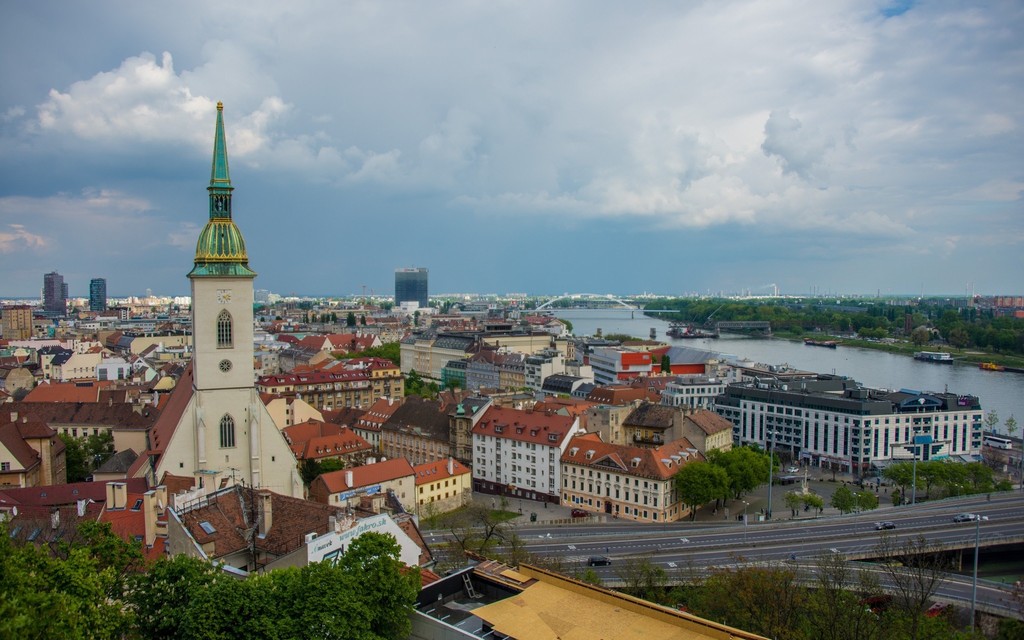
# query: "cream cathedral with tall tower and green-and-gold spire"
[[216, 430]]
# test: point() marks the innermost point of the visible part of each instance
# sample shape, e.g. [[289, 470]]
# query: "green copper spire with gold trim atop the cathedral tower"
[[221, 250]]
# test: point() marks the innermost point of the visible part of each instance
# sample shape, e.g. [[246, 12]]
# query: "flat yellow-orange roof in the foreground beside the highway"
[[562, 609]]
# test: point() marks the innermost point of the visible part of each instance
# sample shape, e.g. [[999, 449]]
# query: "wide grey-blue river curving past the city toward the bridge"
[[1001, 392]]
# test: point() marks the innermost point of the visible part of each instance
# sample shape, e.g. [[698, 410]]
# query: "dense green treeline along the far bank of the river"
[[931, 321]]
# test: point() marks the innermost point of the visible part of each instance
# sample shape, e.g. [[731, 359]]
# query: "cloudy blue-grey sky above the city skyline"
[[855, 147]]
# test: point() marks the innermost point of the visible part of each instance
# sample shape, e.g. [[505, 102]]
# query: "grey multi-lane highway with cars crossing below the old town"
[[686, 547]]
